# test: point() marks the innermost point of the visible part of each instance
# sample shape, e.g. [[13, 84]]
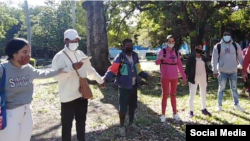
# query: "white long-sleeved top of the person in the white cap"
[[69, 82]]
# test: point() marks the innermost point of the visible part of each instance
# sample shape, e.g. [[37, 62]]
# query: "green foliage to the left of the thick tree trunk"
[[48, 24]]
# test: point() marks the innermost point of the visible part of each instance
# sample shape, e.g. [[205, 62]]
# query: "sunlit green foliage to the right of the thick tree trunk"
[[196, 19]]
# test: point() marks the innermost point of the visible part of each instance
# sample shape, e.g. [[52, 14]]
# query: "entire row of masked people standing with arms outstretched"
[[17, 76]]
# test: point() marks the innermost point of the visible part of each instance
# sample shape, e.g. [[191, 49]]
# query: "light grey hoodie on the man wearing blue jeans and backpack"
[[228, 62]]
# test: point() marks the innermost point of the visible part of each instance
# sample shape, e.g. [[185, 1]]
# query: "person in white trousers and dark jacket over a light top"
[[197, 72]]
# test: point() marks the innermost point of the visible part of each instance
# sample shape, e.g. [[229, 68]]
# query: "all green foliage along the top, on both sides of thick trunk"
[[156, 19]]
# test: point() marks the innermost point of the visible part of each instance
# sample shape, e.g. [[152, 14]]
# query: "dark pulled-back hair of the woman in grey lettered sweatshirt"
[[14, 45]]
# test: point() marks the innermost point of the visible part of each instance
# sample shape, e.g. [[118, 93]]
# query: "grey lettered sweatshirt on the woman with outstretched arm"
[[19, 83]]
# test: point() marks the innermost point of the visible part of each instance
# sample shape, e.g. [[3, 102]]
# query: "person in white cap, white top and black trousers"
[[73, 106]]
